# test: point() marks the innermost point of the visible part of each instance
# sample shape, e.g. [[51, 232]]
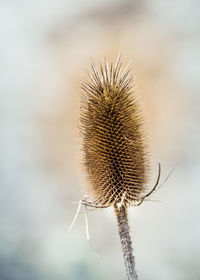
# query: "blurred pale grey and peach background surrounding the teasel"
[[45, 47]]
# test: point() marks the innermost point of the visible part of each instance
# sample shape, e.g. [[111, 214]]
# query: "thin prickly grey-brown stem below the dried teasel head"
[[122, 219]]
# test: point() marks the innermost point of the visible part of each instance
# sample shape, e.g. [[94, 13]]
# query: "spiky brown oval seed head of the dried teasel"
[[114, 152]]
